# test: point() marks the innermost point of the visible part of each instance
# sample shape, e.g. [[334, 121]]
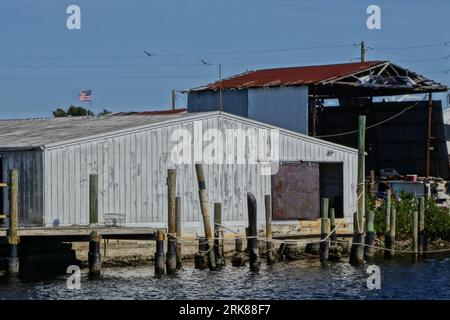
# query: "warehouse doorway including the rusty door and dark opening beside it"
[[298, 187]]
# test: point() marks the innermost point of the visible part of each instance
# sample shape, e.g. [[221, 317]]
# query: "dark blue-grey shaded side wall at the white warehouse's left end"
[[29, 164]]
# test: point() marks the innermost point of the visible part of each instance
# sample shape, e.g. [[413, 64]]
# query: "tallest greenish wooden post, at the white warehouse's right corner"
[[357, 251]]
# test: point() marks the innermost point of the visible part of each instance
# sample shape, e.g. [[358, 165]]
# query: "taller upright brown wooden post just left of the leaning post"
[[171, 255]]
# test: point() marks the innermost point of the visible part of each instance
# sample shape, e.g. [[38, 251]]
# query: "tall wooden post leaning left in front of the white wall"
[[204, 206]]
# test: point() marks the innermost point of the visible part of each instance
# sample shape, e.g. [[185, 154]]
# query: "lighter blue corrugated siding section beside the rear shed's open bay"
[[285, 107]]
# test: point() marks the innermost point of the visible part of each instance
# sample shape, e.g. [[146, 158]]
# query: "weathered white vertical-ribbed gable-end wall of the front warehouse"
[[132, 171]]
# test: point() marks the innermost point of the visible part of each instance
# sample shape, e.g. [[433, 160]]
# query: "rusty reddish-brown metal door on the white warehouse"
[[296, 191]]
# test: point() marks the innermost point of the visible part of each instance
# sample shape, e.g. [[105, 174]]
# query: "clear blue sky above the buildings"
[[44, 65]]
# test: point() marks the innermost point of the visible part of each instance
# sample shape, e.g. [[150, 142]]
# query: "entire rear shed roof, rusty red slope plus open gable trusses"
[[371, 78]]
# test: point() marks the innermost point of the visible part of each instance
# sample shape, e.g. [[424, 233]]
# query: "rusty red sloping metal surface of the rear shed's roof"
[[307, 75]]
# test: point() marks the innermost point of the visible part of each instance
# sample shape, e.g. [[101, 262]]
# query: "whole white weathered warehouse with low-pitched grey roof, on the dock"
[[131, 155]]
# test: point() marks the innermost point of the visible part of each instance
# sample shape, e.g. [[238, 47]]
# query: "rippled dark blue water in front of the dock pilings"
[[400, 279]]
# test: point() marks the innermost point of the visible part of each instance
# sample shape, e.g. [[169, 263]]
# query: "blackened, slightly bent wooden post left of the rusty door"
[[252, 241]]
